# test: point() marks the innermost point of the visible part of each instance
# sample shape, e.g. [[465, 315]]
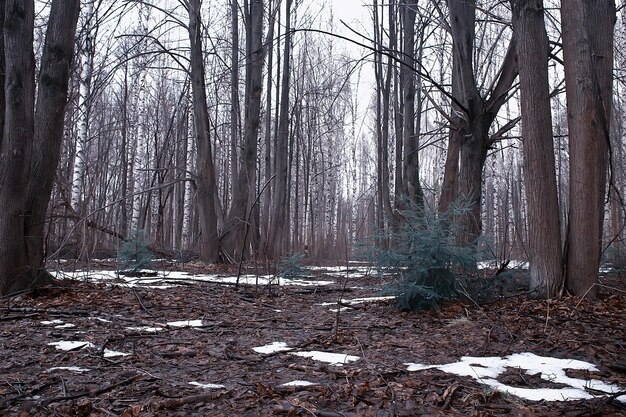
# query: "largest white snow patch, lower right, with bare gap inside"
[[486, 371]]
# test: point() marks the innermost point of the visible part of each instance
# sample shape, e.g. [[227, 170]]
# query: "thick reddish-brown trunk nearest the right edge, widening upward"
[[588, 59]]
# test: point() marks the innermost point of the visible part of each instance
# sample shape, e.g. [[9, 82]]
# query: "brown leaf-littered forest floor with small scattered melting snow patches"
[[131, 356]]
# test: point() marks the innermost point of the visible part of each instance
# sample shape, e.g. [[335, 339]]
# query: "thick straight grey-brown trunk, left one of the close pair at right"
[[546, 265]]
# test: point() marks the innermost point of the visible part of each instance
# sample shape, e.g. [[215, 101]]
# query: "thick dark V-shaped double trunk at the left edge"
[[31, 141]]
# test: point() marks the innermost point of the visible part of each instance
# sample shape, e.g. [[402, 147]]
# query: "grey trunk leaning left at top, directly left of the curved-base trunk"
[[205, 180]]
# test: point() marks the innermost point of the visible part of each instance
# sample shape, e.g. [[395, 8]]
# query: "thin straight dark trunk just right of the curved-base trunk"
[[279, 224]]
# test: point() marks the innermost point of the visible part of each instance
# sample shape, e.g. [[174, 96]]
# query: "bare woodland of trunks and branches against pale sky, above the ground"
[[256, 129]]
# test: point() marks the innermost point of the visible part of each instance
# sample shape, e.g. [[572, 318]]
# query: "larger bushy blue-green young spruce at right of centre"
[[425, 257]]
